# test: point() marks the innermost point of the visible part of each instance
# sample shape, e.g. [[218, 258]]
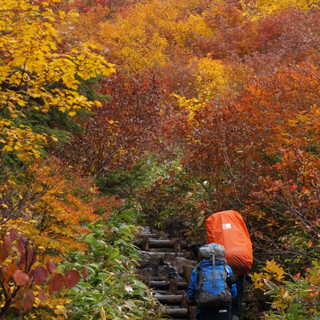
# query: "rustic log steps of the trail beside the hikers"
[[166, 267]]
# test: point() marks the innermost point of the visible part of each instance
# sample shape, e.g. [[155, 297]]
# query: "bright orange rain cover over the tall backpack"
[[228, 228]]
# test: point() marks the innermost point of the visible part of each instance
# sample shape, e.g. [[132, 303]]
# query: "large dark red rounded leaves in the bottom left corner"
[[22, 277]]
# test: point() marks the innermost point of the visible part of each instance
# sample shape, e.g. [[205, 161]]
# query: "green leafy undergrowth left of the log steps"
[[109, 289]]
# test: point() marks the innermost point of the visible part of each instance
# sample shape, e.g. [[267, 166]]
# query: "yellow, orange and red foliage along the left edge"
[[44, 205]]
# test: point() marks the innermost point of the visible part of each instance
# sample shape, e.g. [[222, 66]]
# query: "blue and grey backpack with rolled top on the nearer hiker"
[[212, 289]]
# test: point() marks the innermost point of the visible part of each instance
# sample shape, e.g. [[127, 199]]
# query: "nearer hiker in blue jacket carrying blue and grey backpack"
[[212, 284]]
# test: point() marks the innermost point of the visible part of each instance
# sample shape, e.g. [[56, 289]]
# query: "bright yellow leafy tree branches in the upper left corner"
[[38, 73]]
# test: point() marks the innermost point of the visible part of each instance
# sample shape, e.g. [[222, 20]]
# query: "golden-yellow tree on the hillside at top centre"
[[145, 35]]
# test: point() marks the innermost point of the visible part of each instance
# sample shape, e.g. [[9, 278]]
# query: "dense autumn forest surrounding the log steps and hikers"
[[120, 113]]
